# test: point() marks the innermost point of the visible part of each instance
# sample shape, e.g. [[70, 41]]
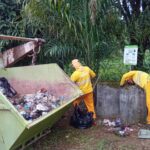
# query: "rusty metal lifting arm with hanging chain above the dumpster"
[[13, 55]]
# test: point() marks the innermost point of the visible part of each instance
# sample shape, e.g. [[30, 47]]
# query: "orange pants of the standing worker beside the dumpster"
[[89, 102]]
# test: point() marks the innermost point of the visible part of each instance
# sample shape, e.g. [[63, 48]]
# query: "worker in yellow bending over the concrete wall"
[[141, 79]]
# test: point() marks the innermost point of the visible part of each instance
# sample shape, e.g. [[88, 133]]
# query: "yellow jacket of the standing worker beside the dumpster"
[[82, 77]]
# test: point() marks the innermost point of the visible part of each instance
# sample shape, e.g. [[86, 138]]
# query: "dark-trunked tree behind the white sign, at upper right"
[[136, 16]]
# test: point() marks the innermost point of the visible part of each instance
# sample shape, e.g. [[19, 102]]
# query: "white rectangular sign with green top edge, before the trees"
[[130, 55]]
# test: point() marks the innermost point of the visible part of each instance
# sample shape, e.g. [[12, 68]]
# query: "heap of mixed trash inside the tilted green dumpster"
[[31, 106]]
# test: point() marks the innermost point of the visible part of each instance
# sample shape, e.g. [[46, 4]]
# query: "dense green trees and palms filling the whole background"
[[93, 31]]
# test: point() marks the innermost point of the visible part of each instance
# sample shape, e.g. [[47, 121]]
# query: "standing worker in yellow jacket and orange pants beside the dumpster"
[[82, 77]]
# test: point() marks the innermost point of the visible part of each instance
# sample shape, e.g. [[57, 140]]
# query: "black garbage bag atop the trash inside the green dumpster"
[[6, 88]]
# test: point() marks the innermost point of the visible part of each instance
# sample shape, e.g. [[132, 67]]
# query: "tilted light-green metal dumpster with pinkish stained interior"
[[15, 131]]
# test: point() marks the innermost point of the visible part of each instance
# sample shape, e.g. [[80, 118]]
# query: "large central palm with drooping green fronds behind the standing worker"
[[69, 32]]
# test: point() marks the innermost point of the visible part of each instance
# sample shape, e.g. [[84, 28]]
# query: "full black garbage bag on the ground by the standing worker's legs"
[[81, 119]]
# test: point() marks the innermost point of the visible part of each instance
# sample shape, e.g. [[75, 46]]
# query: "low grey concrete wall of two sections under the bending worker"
[[127, 102]]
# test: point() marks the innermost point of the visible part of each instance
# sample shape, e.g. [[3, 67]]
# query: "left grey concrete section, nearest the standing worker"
[[107, 101]]
